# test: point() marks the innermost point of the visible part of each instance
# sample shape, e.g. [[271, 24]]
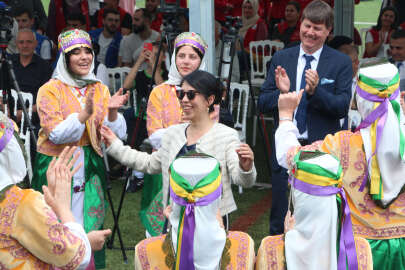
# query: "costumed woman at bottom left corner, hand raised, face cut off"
[[31, 236]]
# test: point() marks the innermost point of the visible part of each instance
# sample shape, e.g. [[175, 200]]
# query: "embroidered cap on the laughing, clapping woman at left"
[[73, 39]]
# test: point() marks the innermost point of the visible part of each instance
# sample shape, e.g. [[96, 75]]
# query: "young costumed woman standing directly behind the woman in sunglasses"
[[164, 110]]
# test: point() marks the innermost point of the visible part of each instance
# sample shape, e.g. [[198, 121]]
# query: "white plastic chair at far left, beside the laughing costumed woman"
[[24, 132]]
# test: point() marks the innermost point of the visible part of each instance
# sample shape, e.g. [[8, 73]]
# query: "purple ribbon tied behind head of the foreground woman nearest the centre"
[[187, 245]]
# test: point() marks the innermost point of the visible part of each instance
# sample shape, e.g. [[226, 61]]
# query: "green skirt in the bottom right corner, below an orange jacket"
[[388, 254]]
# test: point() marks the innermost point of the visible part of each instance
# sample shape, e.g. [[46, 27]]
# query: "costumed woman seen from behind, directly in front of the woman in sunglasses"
[[197, 239]]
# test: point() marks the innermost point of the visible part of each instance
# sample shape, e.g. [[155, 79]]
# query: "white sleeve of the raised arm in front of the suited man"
[[285, 138]]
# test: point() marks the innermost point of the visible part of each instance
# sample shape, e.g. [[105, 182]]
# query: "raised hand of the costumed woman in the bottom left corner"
[[59, 175]]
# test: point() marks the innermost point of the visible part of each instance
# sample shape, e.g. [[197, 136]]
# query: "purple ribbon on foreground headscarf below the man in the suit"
[[347, 246]]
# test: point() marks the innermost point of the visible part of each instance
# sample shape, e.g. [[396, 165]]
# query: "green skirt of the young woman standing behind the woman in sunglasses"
[[151, 213]]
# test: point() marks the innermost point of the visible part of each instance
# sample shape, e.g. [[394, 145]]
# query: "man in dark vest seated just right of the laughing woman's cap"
[[108, 38]]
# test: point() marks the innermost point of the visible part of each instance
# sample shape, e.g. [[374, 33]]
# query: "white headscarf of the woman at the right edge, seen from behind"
[[392, 168]]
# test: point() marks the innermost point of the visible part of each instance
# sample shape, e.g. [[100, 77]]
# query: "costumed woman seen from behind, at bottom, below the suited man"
[[320, 223]]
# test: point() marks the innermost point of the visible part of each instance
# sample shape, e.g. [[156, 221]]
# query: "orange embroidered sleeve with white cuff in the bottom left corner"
[[37, 229]]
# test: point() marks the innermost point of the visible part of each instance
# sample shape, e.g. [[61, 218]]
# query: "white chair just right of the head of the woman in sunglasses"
[[238, 104]]
